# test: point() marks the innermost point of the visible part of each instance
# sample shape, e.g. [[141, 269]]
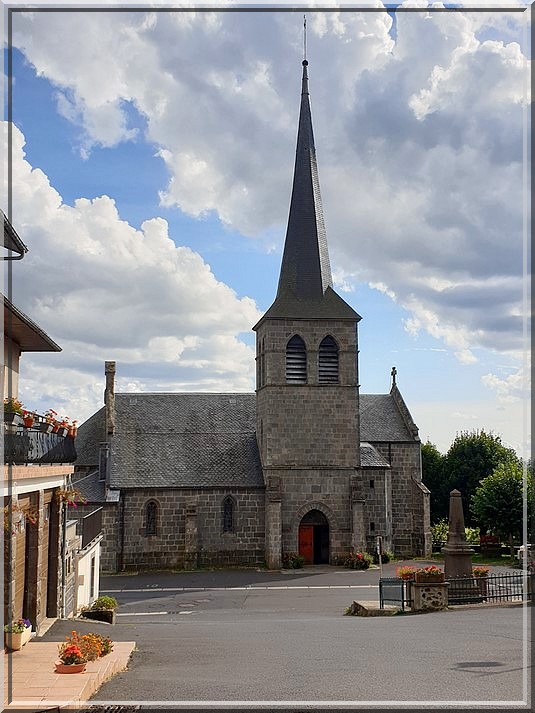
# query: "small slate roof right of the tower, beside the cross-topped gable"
[[381, 420]]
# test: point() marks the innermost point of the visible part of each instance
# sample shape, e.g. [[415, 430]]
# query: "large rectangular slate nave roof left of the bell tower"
[[185, 440]]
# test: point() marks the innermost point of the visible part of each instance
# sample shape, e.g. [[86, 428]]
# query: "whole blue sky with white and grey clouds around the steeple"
[[191, 118]]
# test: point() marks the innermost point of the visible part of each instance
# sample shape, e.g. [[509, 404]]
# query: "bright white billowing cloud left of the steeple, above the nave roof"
[[104, 290]]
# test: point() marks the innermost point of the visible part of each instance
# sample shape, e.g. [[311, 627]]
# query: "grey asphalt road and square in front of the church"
[[271, 637]]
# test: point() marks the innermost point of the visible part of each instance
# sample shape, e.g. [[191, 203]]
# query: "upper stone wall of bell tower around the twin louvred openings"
[[308, 425]]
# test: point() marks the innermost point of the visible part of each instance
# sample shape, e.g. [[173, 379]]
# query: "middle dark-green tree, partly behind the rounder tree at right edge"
[[473, 456]]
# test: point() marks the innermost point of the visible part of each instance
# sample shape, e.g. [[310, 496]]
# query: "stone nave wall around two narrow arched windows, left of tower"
[[189, 528]]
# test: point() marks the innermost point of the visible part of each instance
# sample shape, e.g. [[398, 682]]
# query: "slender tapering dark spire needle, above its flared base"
[[305, 270]]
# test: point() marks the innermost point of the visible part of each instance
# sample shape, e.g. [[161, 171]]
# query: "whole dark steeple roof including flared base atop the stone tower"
[[305, 282]]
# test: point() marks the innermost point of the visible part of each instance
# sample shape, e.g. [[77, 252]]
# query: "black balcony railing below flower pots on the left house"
[[32, 445]]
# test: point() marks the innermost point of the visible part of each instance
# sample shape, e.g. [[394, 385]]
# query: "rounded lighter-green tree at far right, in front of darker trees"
[[498, 501]]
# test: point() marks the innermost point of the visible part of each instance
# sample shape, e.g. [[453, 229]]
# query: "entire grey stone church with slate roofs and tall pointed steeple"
[[304, 465]]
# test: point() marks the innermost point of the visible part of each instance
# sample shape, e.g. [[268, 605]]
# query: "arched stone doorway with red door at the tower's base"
[[313, 527]]
